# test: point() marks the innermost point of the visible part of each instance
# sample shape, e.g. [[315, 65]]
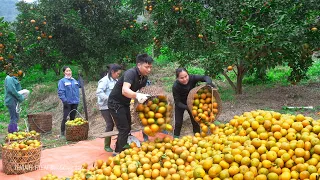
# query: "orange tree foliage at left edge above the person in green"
[[8, 50]]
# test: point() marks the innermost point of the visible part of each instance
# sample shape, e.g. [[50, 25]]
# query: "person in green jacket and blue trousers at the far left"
[[12, 99]]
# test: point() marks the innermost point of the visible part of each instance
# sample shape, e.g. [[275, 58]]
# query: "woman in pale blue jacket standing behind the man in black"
[[105, 86]]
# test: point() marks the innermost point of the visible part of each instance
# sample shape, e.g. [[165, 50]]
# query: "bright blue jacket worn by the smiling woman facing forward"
[[68, 90]]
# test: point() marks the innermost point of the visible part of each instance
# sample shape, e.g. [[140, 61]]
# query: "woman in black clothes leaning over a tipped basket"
[[180, 89]]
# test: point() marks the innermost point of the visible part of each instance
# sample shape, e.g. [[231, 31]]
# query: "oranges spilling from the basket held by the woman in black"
[[205, 109]]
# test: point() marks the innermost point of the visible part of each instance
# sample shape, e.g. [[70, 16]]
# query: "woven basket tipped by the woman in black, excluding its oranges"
[[214, 93]]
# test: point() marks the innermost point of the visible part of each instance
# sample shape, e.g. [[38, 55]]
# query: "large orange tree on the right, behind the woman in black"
[[250, 36]]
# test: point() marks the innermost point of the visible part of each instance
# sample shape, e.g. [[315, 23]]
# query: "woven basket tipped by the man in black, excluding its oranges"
[[153, 91]]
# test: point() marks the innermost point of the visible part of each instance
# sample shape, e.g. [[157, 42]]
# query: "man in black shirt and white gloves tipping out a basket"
[[124, 90]]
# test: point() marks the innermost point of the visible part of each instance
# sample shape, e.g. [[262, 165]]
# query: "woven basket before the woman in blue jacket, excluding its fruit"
[[77, 133]]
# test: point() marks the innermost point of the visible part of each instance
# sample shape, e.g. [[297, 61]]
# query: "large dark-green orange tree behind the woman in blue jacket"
[[90, 33]]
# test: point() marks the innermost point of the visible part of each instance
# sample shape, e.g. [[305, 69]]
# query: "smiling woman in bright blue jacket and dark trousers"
[[68, 91]]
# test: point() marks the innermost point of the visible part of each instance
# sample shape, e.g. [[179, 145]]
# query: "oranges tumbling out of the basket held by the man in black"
[[155, 115]]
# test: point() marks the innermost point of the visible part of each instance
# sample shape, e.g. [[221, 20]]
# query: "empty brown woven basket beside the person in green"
[[40, 122]]
